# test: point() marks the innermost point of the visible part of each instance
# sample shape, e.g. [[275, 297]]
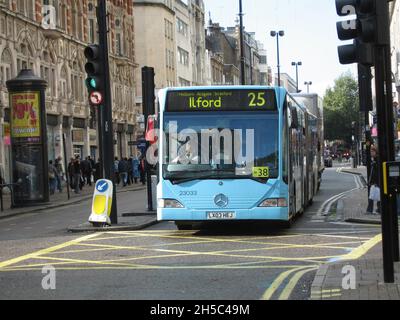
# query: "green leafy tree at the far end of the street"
[[341, 107]]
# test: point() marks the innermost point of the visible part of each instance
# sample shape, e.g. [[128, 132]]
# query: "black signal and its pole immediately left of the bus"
[[148, 87]]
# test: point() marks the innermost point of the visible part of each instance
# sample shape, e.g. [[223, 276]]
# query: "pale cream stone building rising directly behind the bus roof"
[[170, 38]]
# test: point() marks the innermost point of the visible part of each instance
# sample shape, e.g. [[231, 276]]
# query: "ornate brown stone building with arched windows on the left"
[[57, 56]]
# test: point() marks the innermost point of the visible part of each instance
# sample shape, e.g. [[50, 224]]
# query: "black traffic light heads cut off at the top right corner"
[[367, 29]]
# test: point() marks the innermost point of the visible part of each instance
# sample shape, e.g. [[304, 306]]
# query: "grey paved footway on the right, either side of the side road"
[[358, 276]]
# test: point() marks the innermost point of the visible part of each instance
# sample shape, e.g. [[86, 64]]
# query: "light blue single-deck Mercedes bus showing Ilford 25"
[[240, 153]]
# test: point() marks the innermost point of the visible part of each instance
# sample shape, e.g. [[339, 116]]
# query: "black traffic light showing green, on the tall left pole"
[[94, 69]]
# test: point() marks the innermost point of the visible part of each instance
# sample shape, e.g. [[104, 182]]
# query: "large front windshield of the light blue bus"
[[219, 146]]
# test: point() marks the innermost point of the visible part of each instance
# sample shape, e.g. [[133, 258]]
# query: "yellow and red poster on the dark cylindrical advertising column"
[[25, 117]]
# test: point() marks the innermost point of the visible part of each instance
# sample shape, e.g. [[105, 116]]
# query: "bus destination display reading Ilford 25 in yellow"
[[221, 100]]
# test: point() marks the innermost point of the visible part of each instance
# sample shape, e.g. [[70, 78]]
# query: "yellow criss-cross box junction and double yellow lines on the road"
[[294, 273]]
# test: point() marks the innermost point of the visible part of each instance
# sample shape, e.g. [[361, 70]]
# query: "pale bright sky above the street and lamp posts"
[[310, 35]]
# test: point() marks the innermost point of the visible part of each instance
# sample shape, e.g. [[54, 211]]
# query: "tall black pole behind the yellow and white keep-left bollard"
[[106, 108]]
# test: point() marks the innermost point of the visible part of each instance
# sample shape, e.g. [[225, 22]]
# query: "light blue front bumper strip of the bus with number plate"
[[273, 214]]
